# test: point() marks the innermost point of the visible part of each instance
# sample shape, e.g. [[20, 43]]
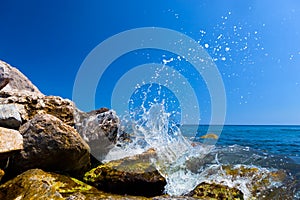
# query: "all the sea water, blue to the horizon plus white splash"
[[186, 160]]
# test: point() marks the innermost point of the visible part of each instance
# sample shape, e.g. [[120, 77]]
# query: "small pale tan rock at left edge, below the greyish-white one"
[[10, 141]]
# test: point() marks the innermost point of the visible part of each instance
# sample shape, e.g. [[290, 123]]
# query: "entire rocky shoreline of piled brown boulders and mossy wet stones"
[[46, 152]]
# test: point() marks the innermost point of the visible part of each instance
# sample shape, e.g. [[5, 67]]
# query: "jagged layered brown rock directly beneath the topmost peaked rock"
[[29, 104]]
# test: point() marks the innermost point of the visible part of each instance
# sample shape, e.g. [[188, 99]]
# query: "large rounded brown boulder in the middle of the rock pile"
[[51, 145]]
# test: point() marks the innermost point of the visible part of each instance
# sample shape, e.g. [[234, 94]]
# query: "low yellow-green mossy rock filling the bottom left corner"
[[37, 184]]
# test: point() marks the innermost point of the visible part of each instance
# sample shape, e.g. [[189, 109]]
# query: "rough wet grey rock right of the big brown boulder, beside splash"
[[99, 129]]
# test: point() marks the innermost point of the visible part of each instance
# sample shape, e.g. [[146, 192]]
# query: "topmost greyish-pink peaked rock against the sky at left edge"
[[12, 79]]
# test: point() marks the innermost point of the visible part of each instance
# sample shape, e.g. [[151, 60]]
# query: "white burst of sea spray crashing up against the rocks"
[[154, 129]]
